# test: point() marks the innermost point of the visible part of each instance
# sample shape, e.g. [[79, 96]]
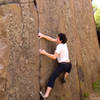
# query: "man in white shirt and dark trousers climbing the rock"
[[62, 55]]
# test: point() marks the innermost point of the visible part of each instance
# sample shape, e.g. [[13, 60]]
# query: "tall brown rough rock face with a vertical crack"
[[23, 72]]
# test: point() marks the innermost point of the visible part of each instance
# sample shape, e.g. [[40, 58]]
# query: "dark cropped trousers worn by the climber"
[[62, 67]]
